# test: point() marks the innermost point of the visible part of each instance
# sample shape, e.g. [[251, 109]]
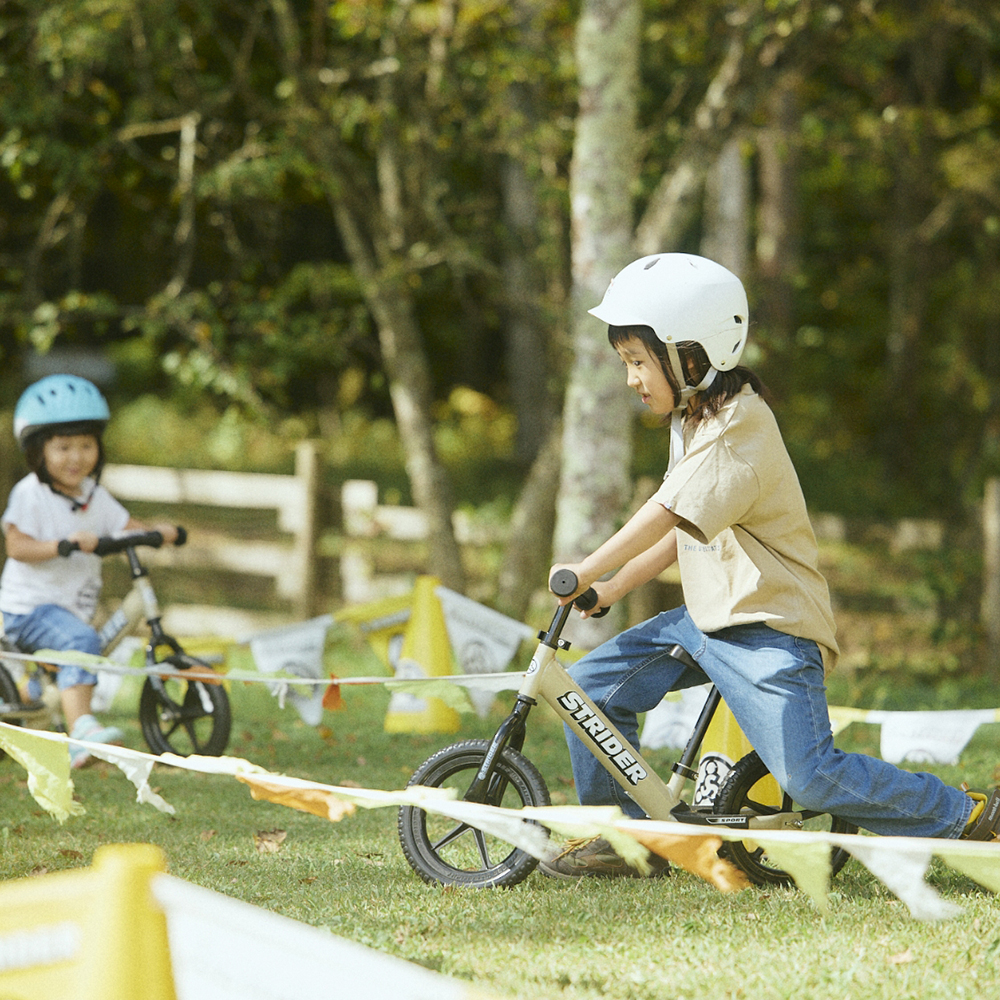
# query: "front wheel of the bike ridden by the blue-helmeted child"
[[184, 717]]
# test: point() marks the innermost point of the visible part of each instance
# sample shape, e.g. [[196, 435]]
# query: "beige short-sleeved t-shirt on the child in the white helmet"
[[745, 546]]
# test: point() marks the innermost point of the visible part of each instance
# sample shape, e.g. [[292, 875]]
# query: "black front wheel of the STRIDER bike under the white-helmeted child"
[[443, 850]]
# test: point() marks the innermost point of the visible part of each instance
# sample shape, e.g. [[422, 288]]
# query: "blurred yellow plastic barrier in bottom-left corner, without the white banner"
[[88, 934]]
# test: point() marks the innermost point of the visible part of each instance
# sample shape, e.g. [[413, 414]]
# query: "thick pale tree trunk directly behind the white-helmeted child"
[[597, 418]]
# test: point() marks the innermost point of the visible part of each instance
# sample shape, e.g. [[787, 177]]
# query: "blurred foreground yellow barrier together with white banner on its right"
[[102, 933]]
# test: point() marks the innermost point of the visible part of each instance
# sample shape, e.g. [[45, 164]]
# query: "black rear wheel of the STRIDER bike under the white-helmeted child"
[[739, 794]]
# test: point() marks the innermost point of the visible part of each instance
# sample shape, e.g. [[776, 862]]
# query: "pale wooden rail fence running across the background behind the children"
[[362, 522]]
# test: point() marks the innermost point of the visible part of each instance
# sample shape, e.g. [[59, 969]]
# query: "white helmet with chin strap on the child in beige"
[[682, 298]]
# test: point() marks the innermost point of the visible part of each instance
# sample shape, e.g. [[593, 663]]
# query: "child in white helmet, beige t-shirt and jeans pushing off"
[[757, 613]]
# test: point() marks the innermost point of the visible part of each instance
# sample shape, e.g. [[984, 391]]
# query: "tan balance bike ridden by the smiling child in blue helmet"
[[177, 714]]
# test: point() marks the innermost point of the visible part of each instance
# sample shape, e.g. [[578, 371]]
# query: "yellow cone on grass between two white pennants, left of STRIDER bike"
[[426, 652]]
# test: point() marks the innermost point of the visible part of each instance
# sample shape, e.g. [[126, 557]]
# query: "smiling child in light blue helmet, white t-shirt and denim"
[[48, 594]]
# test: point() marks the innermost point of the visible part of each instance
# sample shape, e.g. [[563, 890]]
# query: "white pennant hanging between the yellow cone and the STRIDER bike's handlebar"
[[483, 641]]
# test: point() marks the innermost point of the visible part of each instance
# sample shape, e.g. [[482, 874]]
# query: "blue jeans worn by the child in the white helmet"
[[773, 683]]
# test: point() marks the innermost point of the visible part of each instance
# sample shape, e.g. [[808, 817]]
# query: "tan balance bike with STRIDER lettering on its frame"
[[497, 773]]
